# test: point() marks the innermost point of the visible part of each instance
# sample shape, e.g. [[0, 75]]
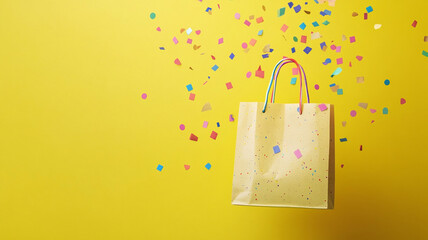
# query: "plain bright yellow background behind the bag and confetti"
[[79, 147]]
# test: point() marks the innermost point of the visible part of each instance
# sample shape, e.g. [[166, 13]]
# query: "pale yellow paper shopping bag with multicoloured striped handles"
[[284, 153]]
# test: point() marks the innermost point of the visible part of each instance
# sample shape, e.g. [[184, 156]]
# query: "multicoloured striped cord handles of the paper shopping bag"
[[275, 74]]
